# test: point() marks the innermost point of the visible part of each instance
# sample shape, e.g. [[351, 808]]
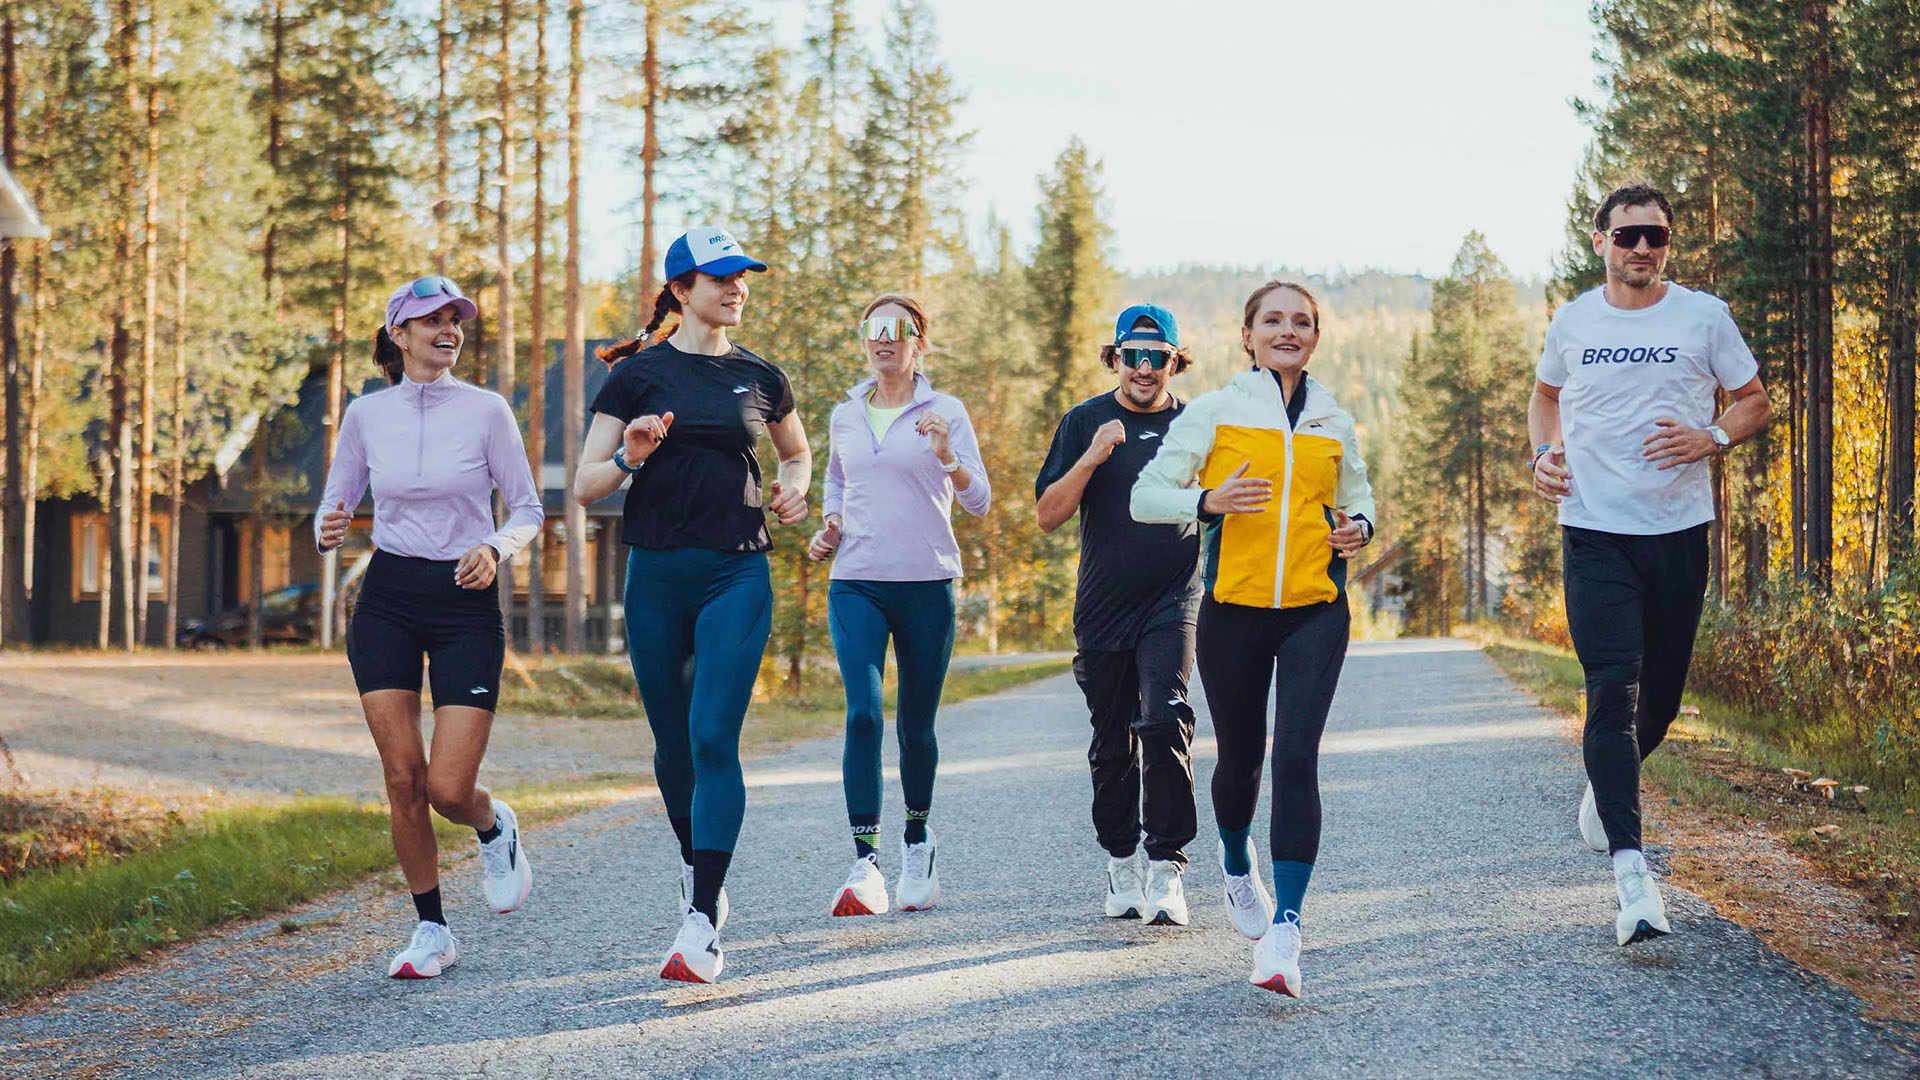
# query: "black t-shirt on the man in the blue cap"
[[1132, 576]]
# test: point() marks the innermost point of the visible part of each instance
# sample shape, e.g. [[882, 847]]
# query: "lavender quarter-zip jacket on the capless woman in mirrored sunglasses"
[[892, 495]]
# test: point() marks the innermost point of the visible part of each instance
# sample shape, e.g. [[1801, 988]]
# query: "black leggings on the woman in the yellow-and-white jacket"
[[1299, 650]]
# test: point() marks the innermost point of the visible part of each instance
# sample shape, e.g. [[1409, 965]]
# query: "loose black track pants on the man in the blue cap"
[[1143, 729]]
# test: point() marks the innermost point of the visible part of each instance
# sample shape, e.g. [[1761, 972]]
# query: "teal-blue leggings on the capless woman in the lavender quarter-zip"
[[921, 618]]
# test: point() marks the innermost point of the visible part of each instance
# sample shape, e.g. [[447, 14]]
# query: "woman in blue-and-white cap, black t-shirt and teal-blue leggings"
[[683, 418]]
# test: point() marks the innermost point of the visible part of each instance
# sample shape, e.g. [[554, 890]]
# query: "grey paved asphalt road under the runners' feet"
[[1456, 929]]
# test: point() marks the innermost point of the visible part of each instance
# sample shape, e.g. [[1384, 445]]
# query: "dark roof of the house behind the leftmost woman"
[[300, 439]]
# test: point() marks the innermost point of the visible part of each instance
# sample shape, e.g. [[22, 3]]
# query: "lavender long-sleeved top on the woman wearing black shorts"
[[435, 453]]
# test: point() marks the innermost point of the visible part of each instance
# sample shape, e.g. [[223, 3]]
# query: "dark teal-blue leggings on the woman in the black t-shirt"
[[696, 631]]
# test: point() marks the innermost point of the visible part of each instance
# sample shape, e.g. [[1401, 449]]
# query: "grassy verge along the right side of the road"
[[1725, 793]]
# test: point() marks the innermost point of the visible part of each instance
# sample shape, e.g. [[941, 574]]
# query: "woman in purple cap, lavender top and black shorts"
[[433, 449]]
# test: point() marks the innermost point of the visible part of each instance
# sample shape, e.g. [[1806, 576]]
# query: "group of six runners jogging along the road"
[[1214, 531]]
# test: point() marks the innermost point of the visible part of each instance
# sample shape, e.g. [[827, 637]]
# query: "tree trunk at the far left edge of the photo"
[[14, 501]]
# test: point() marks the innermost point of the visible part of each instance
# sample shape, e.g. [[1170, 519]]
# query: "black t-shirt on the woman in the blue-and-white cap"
[[702, 487]]
